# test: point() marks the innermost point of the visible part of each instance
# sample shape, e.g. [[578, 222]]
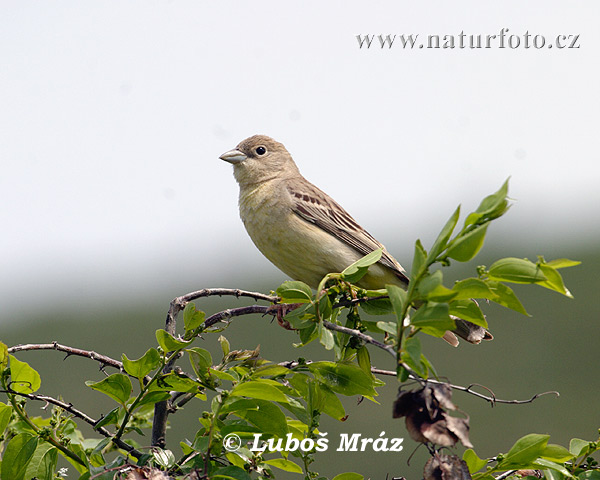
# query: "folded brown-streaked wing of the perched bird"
[[315, 206]]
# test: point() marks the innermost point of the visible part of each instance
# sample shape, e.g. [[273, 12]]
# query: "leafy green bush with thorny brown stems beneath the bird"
[[260, 419]]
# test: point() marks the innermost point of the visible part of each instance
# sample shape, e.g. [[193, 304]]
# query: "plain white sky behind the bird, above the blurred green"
[[113, 115]]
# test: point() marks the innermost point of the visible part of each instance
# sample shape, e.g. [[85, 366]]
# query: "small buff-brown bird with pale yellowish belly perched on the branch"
[[303, 231]]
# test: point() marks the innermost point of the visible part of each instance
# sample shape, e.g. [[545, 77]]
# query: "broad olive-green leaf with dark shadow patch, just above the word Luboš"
[[344, 378]]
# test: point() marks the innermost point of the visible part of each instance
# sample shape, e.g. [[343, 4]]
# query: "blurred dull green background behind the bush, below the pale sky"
[[556, 349]]
